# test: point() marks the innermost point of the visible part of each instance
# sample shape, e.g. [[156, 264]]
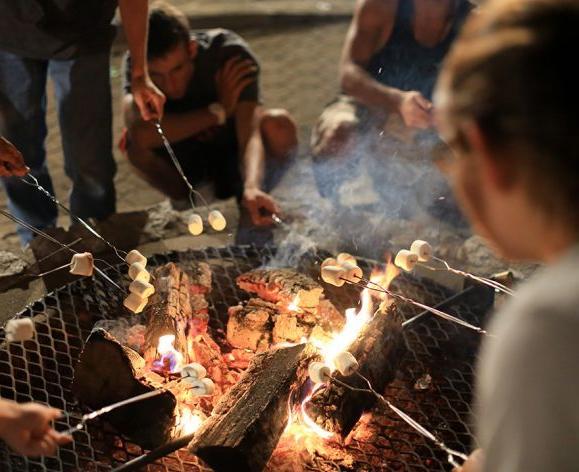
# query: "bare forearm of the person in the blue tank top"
[[357, 83]]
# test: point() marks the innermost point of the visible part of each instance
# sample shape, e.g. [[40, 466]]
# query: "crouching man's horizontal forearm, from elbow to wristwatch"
[[176, 126]]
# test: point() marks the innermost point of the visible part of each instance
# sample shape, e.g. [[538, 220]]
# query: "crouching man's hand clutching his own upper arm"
[[231, 80]]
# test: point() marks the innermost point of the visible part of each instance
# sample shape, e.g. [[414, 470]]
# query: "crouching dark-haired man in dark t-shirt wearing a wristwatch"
[[213, 117]]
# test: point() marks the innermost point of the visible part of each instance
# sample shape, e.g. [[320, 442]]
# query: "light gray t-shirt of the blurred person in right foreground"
[[528, 382]]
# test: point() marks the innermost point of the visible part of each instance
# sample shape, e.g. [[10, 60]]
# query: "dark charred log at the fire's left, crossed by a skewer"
[[108, 372]]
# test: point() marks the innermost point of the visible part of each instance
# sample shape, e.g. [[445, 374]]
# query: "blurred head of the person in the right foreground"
[[508, 103]]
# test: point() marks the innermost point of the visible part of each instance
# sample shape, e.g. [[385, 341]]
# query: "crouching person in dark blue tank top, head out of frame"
[[390, 61]]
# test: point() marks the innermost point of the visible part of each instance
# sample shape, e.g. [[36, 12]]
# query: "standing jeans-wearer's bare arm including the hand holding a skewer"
[[148, 98]]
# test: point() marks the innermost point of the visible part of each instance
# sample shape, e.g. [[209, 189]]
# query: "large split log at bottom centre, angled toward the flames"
[[246, 425]]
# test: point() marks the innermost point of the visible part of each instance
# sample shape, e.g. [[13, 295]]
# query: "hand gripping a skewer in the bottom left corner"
[[26, 428]]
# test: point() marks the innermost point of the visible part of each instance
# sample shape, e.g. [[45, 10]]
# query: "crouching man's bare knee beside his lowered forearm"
[[279, 132]]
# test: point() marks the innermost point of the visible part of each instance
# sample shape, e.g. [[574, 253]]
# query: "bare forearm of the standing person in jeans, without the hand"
[[134, 15]]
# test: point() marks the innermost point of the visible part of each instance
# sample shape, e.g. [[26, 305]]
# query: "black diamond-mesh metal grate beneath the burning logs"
[[42, 369]]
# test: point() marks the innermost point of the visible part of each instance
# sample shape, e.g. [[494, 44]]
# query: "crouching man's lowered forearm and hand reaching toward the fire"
[[252, 156]]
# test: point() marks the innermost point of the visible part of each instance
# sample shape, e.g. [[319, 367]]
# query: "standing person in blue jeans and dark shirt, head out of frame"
[[70, 41]]
